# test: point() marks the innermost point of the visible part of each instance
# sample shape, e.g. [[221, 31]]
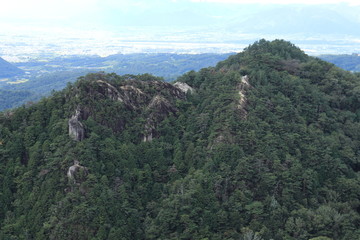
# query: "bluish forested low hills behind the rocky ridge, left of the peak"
[[43, 76]]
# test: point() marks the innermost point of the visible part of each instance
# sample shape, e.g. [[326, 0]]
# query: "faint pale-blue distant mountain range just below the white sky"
[[301, 19]]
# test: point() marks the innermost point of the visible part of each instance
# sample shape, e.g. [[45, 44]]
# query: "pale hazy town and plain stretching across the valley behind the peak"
[[22, 47]]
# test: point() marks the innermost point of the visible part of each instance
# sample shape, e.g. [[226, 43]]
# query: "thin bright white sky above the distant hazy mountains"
[[23, 11]]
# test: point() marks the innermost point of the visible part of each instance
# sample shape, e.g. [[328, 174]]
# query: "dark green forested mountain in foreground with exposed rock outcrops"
[[264, 146]]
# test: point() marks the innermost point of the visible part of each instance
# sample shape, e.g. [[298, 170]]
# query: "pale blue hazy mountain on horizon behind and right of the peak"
[[304, 20]]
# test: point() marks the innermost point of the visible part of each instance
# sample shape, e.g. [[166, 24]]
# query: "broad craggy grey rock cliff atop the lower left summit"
[[151, 100]]
